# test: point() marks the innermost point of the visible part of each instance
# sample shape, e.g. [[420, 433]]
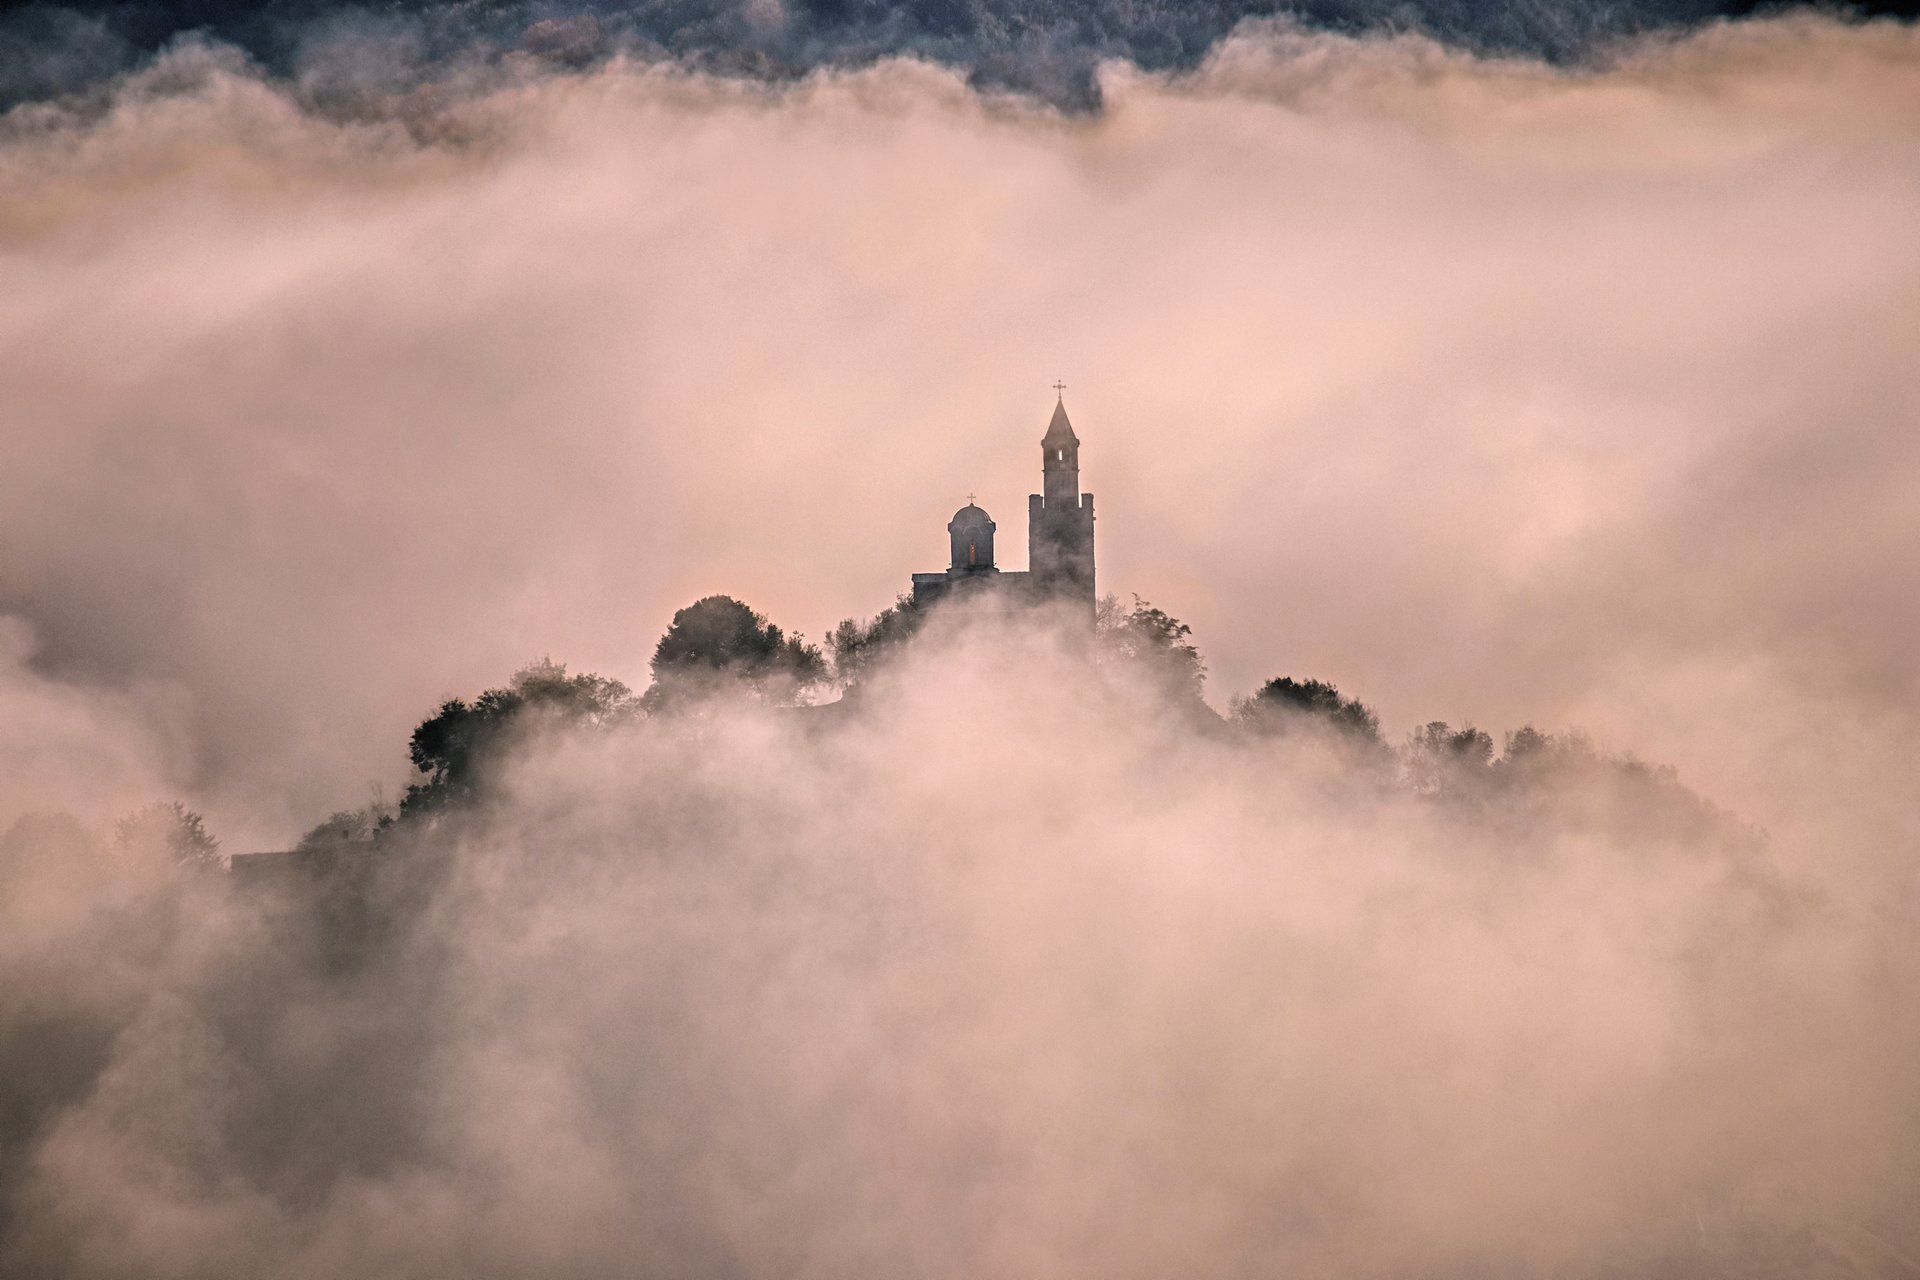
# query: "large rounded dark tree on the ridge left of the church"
[[719, 646]]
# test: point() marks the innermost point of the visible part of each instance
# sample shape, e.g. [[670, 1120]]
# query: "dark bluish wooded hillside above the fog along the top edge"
[[1044, 47]]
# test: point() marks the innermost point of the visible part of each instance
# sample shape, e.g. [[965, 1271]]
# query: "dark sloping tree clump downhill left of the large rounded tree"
[[464, 742]]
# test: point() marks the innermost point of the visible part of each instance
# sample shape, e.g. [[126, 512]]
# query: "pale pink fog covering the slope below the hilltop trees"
[[1017, 974]]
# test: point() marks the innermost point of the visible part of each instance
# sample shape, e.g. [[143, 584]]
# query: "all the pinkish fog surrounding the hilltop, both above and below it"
[[1491, 392]]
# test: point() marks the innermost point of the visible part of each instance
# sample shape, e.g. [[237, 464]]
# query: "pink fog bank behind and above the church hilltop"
[[1489, 392]]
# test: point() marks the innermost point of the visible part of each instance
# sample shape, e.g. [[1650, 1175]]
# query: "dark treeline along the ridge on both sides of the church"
[[721, 653]]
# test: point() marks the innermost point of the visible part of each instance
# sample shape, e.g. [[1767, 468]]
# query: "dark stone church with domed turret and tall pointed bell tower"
[[1059, 540]]
